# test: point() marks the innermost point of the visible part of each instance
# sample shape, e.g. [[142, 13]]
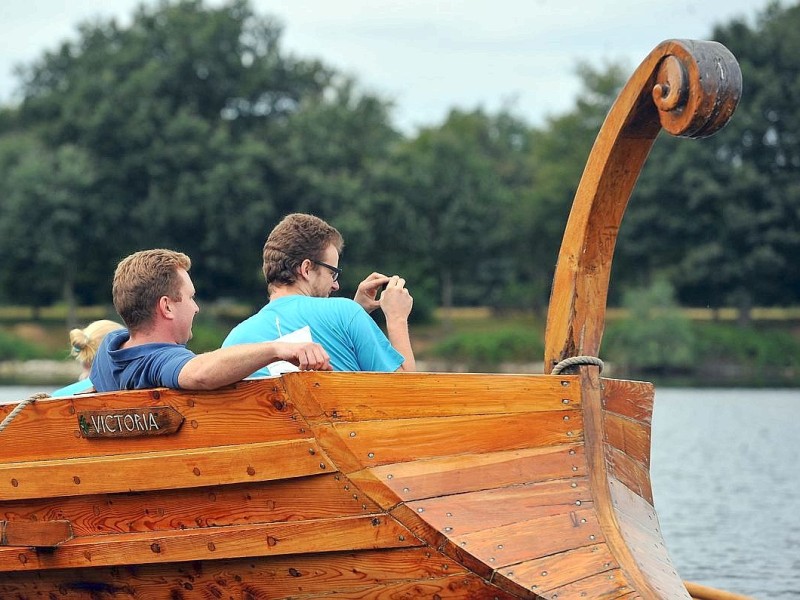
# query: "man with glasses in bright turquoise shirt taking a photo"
[[301, 258]]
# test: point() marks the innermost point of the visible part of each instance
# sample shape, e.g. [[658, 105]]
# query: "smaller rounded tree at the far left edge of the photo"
[[47, 235]]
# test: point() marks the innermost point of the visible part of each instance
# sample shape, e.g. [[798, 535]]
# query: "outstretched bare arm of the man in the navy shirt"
[[211, 370]]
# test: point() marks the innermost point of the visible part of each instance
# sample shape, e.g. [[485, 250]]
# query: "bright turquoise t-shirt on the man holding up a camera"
[[340, 325]]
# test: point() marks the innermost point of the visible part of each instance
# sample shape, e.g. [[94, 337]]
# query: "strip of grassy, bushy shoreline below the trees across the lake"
[[668, 345]]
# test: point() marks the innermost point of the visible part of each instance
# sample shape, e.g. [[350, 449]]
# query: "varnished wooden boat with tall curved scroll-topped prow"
[[377, 486]]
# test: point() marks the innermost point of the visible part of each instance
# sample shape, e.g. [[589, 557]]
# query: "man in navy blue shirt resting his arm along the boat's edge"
[[154, 295]]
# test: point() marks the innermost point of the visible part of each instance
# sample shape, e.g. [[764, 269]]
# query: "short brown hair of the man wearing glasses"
[[297, 237]]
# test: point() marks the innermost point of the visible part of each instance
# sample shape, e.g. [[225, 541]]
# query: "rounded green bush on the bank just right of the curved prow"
[[655, 336]]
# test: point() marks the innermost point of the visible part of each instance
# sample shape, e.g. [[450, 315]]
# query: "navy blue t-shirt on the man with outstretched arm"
[[139, 367]]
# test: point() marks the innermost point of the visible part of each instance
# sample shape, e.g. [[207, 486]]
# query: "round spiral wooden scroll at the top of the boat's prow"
[[697, 88]]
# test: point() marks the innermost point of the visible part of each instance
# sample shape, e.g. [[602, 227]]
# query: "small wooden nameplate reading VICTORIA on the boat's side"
[[129, 422]]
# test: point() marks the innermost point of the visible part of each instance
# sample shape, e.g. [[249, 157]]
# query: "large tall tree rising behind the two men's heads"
[[191, 118]]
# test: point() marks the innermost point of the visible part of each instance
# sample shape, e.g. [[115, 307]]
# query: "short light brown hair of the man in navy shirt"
[[141, 279]]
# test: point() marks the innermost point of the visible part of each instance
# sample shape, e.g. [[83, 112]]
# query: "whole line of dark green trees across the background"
[[193, 129]]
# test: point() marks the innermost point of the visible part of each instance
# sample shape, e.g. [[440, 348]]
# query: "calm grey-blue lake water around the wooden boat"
[[725, 468]]
